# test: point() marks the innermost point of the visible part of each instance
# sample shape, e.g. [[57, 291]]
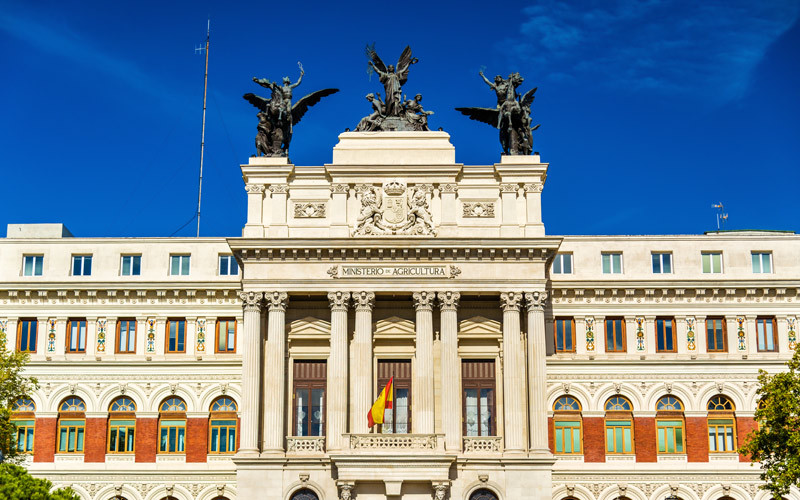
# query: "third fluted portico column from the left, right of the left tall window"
[[337, 370]]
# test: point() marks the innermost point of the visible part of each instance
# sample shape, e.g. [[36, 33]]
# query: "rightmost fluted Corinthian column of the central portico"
[[537, 372]]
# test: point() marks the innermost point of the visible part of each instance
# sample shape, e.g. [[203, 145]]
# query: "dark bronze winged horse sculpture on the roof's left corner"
[[277, 116]]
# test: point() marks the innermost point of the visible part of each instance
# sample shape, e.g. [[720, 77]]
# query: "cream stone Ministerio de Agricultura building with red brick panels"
[[525, 365]]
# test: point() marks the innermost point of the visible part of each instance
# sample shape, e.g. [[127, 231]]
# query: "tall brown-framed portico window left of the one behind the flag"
[[309, 398]]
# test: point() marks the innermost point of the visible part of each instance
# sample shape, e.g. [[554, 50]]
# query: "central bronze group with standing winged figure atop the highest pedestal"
[[394, 111]]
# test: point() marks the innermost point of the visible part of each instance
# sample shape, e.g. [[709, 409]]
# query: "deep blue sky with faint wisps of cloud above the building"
[[651, 110]]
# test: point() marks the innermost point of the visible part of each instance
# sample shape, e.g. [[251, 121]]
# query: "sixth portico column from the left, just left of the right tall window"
[[451, 370]]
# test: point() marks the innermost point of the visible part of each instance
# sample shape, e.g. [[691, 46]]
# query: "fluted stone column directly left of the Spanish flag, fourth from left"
[[361, 379]]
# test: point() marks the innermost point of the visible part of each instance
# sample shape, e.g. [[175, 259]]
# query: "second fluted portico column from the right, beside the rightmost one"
[[513, 373]]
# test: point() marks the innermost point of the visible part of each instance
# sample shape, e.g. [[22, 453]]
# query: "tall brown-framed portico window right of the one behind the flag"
[[478, 385]]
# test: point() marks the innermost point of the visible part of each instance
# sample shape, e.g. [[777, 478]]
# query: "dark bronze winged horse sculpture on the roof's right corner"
[[512, 116]]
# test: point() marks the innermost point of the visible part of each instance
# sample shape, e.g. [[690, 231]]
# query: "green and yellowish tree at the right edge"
[[776, 443]]
